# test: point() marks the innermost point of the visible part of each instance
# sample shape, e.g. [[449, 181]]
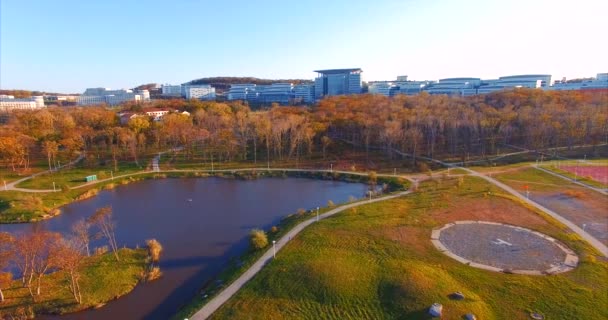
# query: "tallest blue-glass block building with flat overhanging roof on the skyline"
[[335, 82]]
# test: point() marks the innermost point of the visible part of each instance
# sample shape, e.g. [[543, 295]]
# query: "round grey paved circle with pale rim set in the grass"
[[503, 248]]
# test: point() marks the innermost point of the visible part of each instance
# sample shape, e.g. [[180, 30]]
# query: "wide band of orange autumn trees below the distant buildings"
[[436, 126]]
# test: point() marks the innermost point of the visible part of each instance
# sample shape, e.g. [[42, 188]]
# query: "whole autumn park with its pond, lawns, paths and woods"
[[360, 220]]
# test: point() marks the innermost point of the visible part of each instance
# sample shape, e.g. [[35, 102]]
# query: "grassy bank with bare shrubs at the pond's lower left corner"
[[103, 279]]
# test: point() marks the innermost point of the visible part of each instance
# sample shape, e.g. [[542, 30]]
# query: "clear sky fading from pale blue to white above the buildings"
[[66, 46]]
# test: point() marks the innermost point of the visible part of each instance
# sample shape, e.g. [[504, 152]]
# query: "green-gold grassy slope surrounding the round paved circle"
[[347, 268]]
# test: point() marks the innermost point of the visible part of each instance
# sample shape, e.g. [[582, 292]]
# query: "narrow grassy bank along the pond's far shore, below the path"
[[22, 207]]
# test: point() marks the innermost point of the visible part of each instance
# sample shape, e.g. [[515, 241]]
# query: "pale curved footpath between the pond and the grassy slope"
[[228, 292]]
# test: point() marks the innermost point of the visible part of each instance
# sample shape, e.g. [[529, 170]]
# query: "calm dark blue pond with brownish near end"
[[198, 236]]
